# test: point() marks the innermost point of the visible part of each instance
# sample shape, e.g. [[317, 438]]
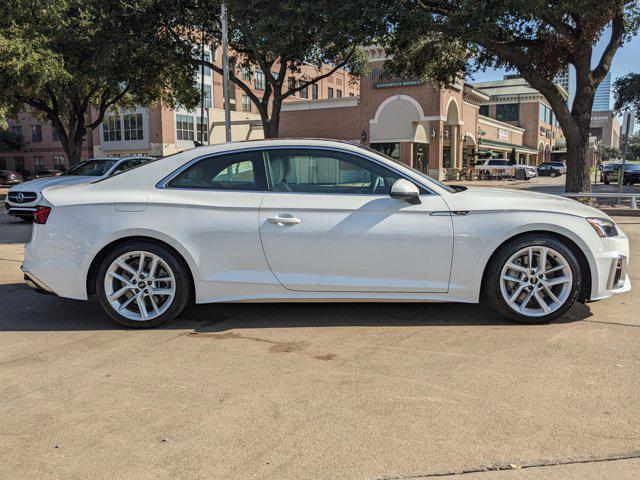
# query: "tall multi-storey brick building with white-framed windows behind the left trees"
[[159, 131]]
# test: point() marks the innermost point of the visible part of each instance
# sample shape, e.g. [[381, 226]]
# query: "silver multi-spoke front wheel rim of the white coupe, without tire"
[[536, 281]]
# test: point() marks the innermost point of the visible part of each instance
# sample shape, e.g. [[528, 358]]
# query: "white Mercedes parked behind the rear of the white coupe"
[[22, 200]]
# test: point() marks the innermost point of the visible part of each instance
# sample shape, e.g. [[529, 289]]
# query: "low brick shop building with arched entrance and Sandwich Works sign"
[[430, 128]]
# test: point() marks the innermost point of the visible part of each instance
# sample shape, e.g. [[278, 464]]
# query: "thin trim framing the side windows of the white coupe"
[[163, 184]]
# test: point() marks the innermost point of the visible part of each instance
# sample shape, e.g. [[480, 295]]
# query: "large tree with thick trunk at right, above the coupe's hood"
[[445, 39]]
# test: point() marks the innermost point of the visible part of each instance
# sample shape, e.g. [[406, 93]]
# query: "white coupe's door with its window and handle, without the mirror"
[[327, 223]]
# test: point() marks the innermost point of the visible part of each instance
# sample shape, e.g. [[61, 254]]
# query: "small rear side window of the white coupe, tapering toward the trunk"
[[235, 171]]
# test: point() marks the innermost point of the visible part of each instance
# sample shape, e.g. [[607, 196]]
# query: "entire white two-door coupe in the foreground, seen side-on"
[[315, 221]]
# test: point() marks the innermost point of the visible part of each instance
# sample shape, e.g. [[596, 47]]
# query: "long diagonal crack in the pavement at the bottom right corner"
[[498, 467]]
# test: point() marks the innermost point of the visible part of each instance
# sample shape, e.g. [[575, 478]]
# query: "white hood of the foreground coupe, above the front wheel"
[[499, 199]]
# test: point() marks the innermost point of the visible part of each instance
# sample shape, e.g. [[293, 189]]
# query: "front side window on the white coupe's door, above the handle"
[[325, 171]]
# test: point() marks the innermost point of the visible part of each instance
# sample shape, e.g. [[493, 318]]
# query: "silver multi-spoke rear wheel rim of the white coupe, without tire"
[[140, 285]]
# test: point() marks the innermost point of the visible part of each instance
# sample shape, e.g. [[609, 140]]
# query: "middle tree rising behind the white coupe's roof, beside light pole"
[[282, 39]]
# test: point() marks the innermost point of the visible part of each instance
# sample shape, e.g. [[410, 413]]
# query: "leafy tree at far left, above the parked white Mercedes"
[[70, 61]]
